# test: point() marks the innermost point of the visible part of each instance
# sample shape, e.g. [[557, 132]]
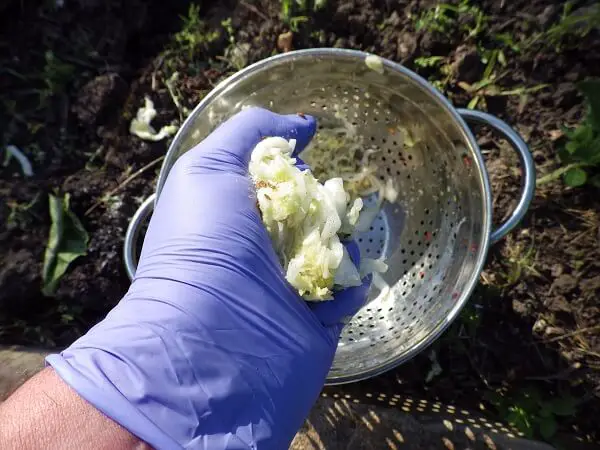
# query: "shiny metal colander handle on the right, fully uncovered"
[[527, 165]]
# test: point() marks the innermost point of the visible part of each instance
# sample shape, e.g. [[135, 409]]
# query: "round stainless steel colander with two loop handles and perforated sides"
[[435, 237]]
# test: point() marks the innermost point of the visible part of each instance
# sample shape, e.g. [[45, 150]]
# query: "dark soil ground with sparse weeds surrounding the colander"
[[72, 77]]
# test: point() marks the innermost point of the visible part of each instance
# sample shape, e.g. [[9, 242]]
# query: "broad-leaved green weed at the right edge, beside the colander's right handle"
[[581, 153]]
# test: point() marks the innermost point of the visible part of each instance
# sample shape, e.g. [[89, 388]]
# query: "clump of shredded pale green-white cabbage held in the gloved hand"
[[306, 220]]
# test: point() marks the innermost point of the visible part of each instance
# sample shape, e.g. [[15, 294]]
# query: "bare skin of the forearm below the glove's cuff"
[[46, 413]]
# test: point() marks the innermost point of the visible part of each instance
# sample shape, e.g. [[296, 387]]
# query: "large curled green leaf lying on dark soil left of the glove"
[[66, 242]]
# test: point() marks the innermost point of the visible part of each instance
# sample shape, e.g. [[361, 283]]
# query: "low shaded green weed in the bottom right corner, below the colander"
[[531, 413]]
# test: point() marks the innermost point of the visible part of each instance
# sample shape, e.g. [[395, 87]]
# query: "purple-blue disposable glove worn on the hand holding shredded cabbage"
[[211, 347]]
